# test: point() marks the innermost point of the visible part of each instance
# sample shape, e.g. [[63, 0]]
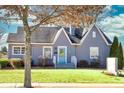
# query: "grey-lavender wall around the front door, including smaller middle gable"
[[37, 50]]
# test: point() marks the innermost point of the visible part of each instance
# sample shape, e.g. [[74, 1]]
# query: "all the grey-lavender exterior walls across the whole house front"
[[82, 52]]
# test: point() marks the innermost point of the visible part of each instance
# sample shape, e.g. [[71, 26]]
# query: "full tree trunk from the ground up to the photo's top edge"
[[27, 39]]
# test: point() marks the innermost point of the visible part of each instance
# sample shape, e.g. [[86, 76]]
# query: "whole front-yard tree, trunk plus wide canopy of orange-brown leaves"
[[43, 15]]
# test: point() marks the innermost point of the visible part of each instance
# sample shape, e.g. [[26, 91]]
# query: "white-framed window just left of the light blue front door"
[[47, 52]]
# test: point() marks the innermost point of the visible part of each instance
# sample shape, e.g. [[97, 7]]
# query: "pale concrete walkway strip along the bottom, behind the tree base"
[[61, 85]]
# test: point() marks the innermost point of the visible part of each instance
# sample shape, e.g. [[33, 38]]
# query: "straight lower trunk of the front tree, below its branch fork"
[[27, 58]]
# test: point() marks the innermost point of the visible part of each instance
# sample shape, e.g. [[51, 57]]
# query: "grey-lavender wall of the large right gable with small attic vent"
[[83, 51]]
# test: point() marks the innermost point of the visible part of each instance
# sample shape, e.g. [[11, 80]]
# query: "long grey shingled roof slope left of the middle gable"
[[44, 35]]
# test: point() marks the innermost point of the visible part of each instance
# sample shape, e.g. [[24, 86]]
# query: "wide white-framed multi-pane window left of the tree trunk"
[[18, 50]]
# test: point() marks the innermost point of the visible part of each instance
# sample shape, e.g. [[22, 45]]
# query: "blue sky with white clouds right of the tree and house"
[[113, 22]]
